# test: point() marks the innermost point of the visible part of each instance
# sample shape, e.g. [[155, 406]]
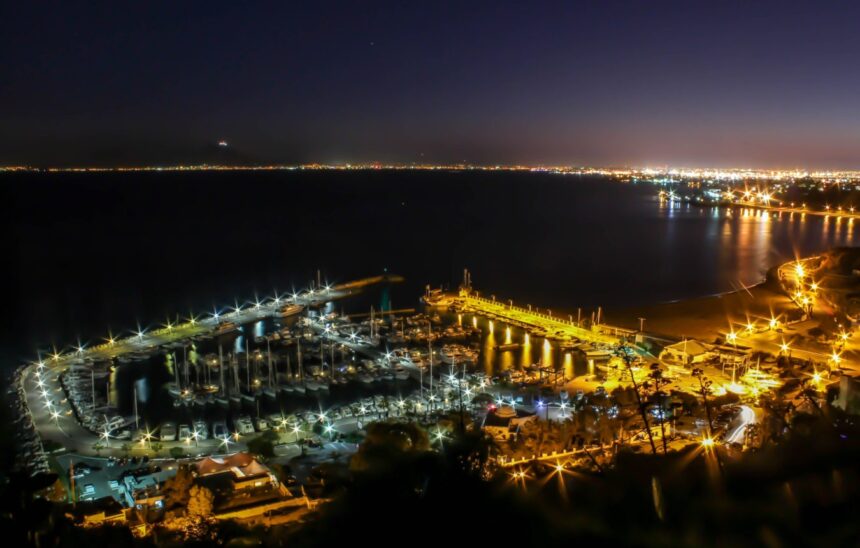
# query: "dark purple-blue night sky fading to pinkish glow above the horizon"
[[762, 84]]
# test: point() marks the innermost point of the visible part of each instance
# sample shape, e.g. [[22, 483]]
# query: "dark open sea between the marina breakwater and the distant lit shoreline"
[[89, 253]]
